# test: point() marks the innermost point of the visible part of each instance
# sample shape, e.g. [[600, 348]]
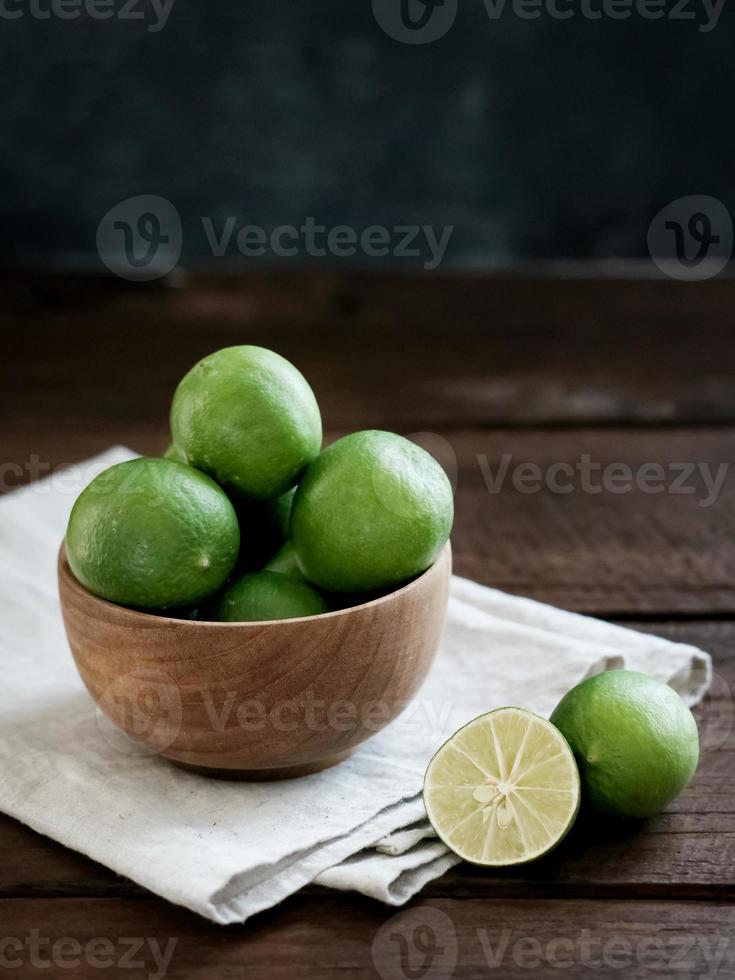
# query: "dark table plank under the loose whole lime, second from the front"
[[686, 852]]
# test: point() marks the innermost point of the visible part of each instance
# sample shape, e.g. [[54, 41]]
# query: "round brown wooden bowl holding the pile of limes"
[[256, 700]]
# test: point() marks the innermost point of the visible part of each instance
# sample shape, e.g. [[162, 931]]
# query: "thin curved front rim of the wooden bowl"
[[64, 569]]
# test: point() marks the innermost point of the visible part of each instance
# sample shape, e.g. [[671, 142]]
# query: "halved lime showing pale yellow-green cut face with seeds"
[[504, 789]]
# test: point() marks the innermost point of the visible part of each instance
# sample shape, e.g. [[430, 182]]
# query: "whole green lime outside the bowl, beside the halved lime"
[[635, 740]]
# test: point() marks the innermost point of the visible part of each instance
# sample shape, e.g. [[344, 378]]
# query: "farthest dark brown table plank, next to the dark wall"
[[382, 352]]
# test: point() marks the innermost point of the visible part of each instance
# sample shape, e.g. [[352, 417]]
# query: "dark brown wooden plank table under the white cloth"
[[539, 369]]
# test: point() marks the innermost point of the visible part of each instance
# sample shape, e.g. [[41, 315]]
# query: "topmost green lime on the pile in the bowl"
[[247, 417]]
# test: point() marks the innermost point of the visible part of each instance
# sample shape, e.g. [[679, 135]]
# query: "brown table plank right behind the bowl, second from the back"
[[595, 550]]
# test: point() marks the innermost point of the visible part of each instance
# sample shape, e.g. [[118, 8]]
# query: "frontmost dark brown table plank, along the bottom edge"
[[348, 937]]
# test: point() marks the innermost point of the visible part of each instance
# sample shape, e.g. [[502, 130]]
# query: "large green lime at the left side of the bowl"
[[154, 534]]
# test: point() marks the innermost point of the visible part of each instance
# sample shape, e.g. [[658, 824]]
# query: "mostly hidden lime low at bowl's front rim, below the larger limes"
[[262, 596]]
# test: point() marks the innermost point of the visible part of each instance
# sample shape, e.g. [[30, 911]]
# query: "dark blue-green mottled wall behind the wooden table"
[[535, 139]]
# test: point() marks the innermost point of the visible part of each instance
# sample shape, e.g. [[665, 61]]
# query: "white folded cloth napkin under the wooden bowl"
[[228, 849]]
